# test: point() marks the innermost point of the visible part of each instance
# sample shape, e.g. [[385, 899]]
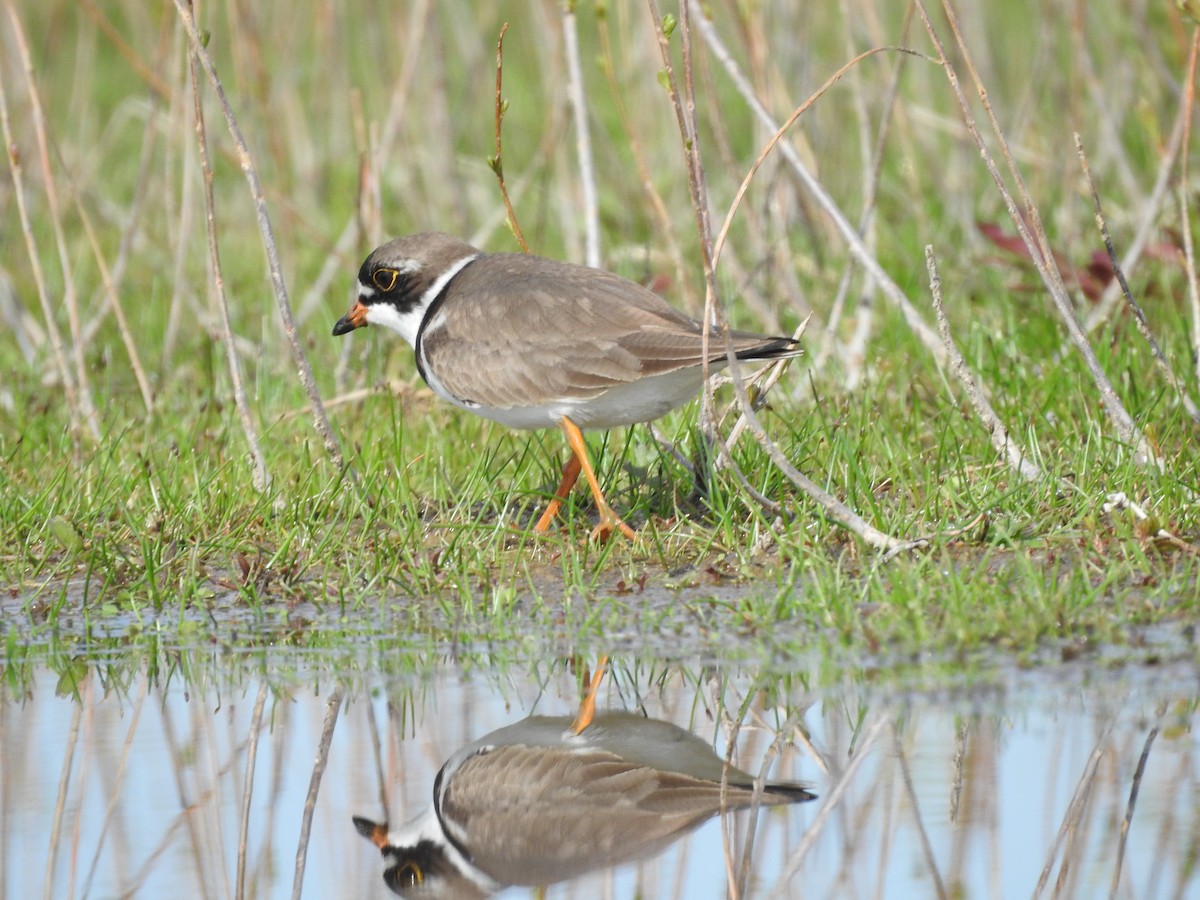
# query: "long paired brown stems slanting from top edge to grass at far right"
[[1034, 236]]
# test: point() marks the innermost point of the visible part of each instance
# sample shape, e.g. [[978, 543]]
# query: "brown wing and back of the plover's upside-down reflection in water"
[[537, 815]]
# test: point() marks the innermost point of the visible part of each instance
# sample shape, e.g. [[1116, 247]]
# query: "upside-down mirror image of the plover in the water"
[[550, 799]]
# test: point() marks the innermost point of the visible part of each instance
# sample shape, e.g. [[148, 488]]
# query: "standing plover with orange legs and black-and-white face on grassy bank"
[[532, 344]]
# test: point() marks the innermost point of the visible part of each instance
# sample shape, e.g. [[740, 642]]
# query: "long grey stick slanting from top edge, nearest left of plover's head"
[[321, 422]]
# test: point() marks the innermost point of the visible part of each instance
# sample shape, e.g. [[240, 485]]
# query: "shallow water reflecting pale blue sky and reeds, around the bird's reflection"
[[117, 783]]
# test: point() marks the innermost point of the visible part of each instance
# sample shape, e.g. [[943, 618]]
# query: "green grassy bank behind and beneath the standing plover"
[[159, 520]]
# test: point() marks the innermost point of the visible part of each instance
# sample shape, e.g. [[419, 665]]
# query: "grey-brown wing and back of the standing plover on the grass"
[[523, 345]]
